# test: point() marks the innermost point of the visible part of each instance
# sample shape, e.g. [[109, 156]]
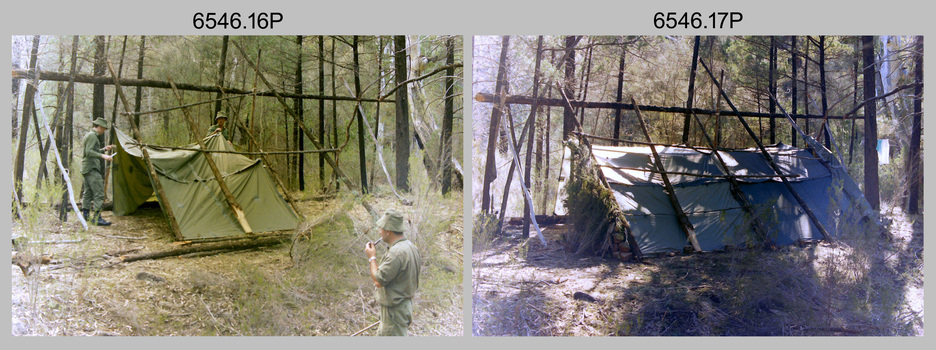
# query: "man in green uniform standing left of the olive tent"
[[93, 172]]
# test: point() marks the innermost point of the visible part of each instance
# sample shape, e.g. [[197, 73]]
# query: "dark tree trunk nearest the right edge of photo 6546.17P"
[[914, 161]]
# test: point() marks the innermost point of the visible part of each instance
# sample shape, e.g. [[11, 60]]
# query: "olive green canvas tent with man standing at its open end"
[[197, 203]]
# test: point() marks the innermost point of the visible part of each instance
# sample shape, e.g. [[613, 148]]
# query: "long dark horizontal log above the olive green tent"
[[89, 79]]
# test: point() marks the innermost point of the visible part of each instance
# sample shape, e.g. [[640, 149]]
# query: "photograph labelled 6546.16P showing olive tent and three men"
[[237, 185]]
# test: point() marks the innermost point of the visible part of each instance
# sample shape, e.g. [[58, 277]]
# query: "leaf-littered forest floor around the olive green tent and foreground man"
[[320, 286]]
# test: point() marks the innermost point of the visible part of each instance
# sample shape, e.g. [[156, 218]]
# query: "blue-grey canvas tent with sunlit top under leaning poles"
[[704, 194]]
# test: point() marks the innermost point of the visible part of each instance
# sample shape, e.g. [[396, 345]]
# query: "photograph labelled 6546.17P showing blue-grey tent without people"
[[697, 185]]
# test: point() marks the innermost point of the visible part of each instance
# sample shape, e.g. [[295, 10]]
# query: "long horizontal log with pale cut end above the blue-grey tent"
[[526, 100]]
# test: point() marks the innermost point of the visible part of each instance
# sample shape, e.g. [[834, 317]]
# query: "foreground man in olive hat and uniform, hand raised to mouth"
[[396, 276]]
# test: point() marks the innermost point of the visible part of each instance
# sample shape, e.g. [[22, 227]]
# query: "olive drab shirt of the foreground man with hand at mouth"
[[398, 273]]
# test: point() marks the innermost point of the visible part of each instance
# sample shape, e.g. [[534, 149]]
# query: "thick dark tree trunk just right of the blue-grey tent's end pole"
[[870, 124]]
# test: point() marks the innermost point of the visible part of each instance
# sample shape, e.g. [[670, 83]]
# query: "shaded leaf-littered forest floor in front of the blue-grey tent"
[[861, 285]]
